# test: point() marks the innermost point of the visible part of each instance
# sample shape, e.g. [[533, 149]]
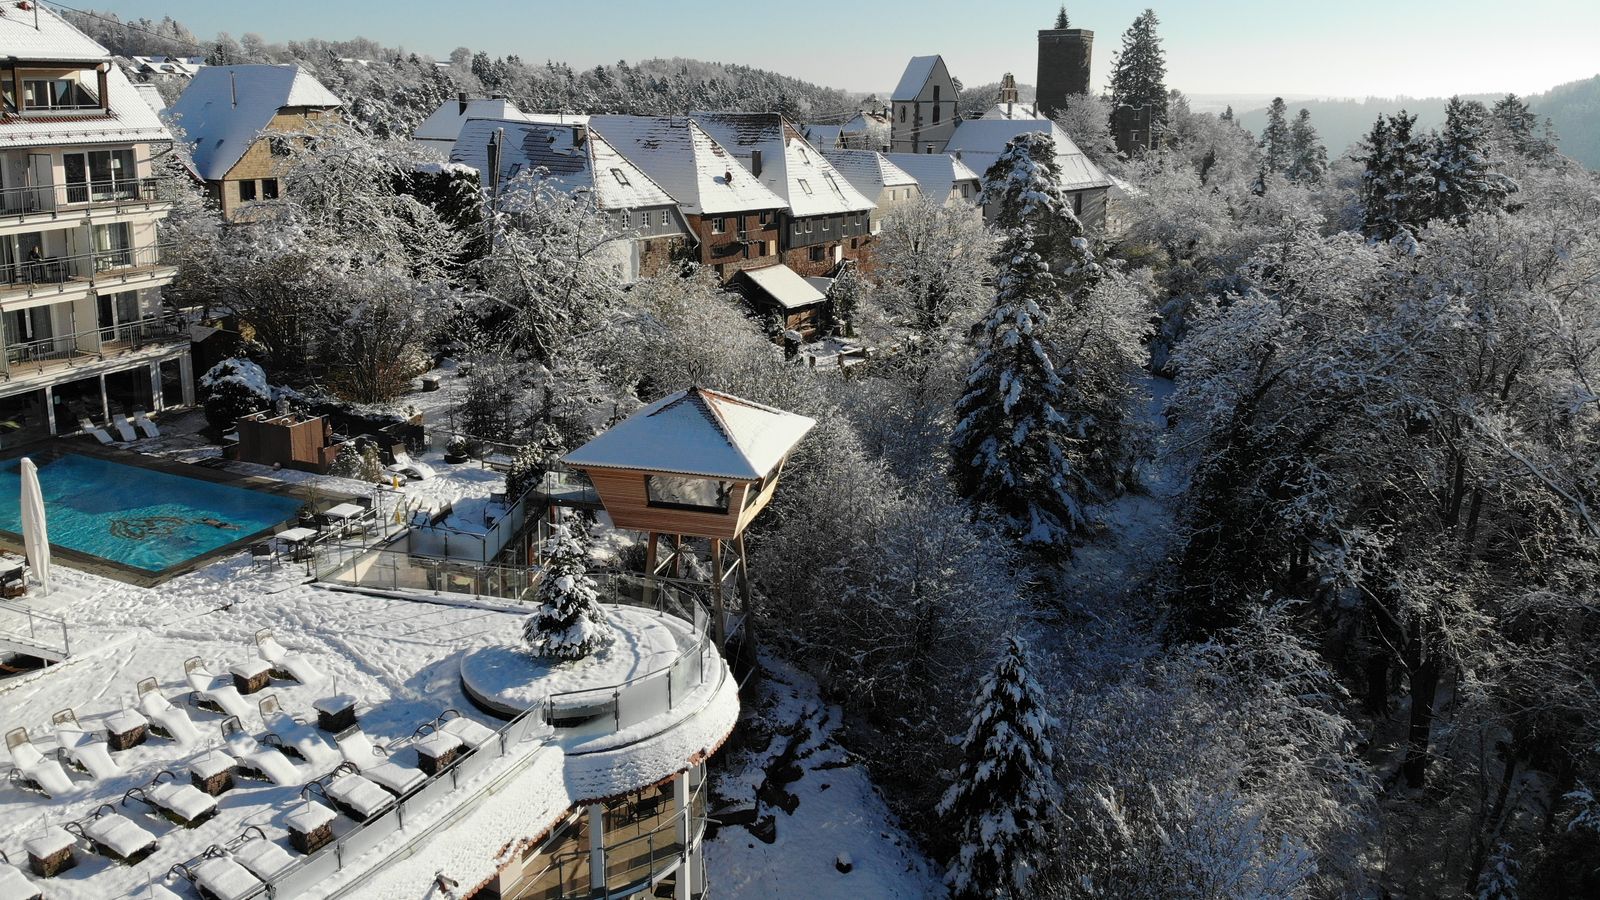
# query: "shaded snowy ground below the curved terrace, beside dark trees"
[[815, 808]]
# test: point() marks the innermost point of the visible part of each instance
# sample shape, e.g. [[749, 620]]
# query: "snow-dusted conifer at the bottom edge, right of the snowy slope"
[[1001, 798]]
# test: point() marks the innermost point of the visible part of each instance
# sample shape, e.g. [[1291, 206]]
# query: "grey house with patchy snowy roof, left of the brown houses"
[[575, 159]]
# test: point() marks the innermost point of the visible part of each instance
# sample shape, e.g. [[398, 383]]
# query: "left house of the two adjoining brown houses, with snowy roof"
[[734, 219]]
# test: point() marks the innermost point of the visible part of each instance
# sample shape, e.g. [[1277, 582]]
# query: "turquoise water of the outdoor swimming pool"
[[135, 516]]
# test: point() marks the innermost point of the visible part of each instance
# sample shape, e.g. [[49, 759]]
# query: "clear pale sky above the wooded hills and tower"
[[1292, 47]]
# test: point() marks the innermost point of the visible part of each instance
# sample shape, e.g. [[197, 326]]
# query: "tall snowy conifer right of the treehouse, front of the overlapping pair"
[[1010, 443]]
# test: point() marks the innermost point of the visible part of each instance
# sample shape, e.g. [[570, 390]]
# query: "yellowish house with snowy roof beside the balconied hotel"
[[241, 121]]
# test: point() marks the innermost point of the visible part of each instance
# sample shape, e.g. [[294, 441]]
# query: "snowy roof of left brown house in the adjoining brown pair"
[[698, 172]]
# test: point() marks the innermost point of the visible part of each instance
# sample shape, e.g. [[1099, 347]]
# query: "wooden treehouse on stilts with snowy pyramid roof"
[[695, 465]]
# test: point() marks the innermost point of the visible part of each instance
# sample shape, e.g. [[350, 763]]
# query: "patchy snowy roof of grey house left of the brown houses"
[[590, 167]]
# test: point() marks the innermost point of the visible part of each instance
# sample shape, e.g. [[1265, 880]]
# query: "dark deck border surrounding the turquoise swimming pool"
[[89, 448]]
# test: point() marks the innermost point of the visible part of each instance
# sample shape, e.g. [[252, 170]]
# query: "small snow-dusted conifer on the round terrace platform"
[[570, 622]]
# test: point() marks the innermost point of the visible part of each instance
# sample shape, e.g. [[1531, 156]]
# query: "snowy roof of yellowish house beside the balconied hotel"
[[226, 108]]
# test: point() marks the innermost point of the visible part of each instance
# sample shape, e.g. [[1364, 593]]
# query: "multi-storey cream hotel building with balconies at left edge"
[[82, 326]]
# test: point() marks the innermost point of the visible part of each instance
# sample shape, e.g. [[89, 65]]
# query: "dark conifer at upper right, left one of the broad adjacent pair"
[[1398, 185]]
